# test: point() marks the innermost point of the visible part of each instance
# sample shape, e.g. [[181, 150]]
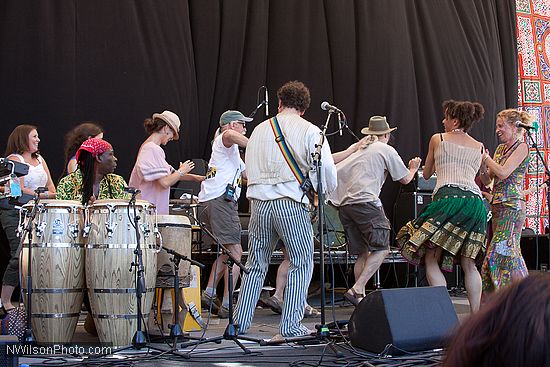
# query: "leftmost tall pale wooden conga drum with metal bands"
[[57, 269]]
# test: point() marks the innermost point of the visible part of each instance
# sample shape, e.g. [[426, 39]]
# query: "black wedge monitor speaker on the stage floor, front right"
[[407, 319]]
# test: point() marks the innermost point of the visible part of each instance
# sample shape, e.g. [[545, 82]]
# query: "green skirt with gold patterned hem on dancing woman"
[[456, 221]]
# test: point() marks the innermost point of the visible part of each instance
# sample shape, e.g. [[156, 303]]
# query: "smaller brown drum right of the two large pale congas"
[[175, 231]]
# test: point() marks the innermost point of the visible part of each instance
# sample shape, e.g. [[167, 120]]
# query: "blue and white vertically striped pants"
[[270, 221]]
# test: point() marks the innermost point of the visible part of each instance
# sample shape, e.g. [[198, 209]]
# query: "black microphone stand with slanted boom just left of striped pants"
[[231, 331]]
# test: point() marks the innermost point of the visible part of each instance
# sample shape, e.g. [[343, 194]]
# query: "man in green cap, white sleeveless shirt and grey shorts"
[[219, 194]]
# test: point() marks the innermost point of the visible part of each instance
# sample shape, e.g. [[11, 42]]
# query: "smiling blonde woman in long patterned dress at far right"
[[504, 263]]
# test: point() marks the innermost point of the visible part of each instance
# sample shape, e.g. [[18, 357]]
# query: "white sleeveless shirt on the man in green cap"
[[225, 167]]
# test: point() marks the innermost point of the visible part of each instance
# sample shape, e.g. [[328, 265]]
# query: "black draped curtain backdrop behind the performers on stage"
[[117, 62]]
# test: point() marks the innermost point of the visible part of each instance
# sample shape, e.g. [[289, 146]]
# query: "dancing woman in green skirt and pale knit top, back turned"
[[452, 227]]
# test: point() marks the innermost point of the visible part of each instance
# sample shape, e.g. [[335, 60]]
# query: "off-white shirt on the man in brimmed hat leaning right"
[[362, 174]]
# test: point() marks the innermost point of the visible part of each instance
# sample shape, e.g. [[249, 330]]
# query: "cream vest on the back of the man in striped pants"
[[265, 163]]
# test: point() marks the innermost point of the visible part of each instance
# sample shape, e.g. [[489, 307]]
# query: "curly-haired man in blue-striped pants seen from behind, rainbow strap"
[[279, 207]]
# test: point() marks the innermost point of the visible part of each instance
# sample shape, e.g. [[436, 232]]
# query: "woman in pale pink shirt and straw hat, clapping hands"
[[152, 174]]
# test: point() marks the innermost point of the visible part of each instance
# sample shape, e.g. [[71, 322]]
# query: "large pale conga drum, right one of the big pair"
[[111, 278]]
